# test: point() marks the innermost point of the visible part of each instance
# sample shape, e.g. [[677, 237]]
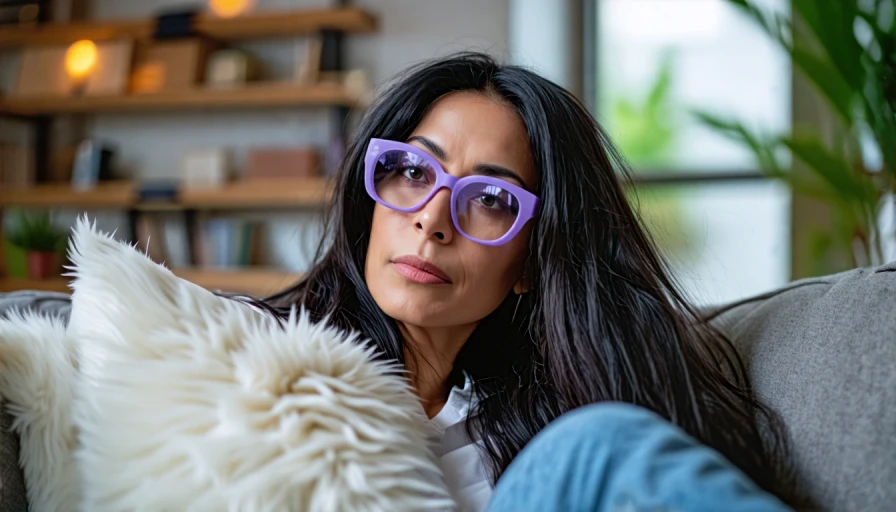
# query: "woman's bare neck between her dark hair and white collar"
[[429, 357]]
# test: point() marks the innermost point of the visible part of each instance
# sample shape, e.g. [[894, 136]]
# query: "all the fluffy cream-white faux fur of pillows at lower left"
[[184, 400]]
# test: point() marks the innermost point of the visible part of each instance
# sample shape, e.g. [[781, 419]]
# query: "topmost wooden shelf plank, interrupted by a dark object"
[[261, 25]]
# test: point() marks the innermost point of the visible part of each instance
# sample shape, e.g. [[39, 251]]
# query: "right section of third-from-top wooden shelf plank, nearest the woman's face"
[[295, 193]]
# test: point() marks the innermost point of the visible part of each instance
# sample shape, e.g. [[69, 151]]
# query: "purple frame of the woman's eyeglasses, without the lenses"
[[528, 202]]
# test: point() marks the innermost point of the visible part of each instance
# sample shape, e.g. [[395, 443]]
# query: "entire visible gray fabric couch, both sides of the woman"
[[820, 352]]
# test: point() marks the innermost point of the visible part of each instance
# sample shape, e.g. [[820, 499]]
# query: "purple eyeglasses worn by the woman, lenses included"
[[487, 210]]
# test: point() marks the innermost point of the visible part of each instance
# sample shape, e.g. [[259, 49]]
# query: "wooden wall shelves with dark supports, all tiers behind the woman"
[[330, 25]]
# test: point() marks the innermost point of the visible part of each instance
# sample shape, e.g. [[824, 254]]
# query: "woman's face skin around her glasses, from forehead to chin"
[[463, 131]]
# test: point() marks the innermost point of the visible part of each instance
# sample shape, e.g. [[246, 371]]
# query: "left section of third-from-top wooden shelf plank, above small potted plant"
[[61, 195]]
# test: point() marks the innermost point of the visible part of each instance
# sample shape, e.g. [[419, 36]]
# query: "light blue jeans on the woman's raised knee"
[[618, 457]]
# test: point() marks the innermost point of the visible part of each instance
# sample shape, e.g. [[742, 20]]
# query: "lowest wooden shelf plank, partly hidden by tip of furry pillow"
[[257, 282]]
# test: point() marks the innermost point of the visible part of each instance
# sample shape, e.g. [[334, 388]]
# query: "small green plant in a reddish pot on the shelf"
[[42, 241]]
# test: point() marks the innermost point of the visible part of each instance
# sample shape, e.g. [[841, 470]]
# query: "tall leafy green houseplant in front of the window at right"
[[847, 50]]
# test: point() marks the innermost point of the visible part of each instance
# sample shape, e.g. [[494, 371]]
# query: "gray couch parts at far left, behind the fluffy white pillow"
[[12, 482]]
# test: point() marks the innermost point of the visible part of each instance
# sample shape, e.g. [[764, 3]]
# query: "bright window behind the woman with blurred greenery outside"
[[722, 226]]
